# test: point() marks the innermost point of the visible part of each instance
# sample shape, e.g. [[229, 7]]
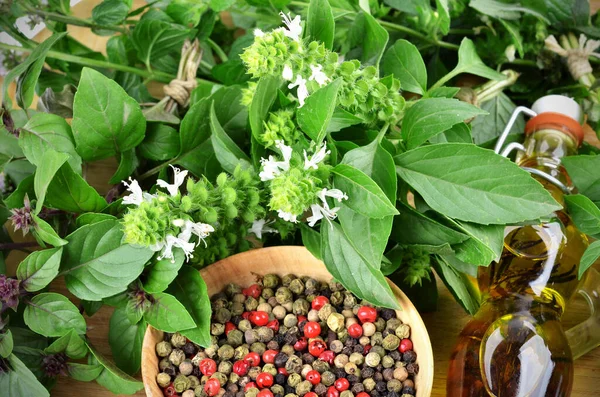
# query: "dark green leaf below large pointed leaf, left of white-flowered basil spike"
[[68, 191]]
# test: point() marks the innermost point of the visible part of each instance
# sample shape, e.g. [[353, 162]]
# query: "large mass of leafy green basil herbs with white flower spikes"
[[332, 124]]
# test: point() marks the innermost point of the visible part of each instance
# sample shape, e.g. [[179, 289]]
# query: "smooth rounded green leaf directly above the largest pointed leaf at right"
[[431, 116]]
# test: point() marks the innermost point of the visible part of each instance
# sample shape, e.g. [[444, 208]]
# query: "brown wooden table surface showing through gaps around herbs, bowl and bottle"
[[443, 325]]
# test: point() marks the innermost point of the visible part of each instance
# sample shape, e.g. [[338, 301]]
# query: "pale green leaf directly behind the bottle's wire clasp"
[[488, 127]]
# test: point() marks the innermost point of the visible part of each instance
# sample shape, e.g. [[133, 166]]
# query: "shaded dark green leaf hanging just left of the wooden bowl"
[[125, 339]]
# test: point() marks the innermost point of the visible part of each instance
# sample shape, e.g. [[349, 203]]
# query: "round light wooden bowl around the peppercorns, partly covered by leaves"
[[243, 268]]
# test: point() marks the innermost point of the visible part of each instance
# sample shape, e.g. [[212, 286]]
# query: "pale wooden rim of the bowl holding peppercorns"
[[424, 385]]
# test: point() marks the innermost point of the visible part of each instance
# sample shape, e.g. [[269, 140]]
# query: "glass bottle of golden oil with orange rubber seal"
[[515, 345]]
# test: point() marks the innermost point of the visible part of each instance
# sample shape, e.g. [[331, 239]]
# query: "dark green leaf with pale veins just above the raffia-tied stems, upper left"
[[154, 39]]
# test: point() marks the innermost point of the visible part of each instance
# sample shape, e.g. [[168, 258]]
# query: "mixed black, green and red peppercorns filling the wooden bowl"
[[290, 336]]
